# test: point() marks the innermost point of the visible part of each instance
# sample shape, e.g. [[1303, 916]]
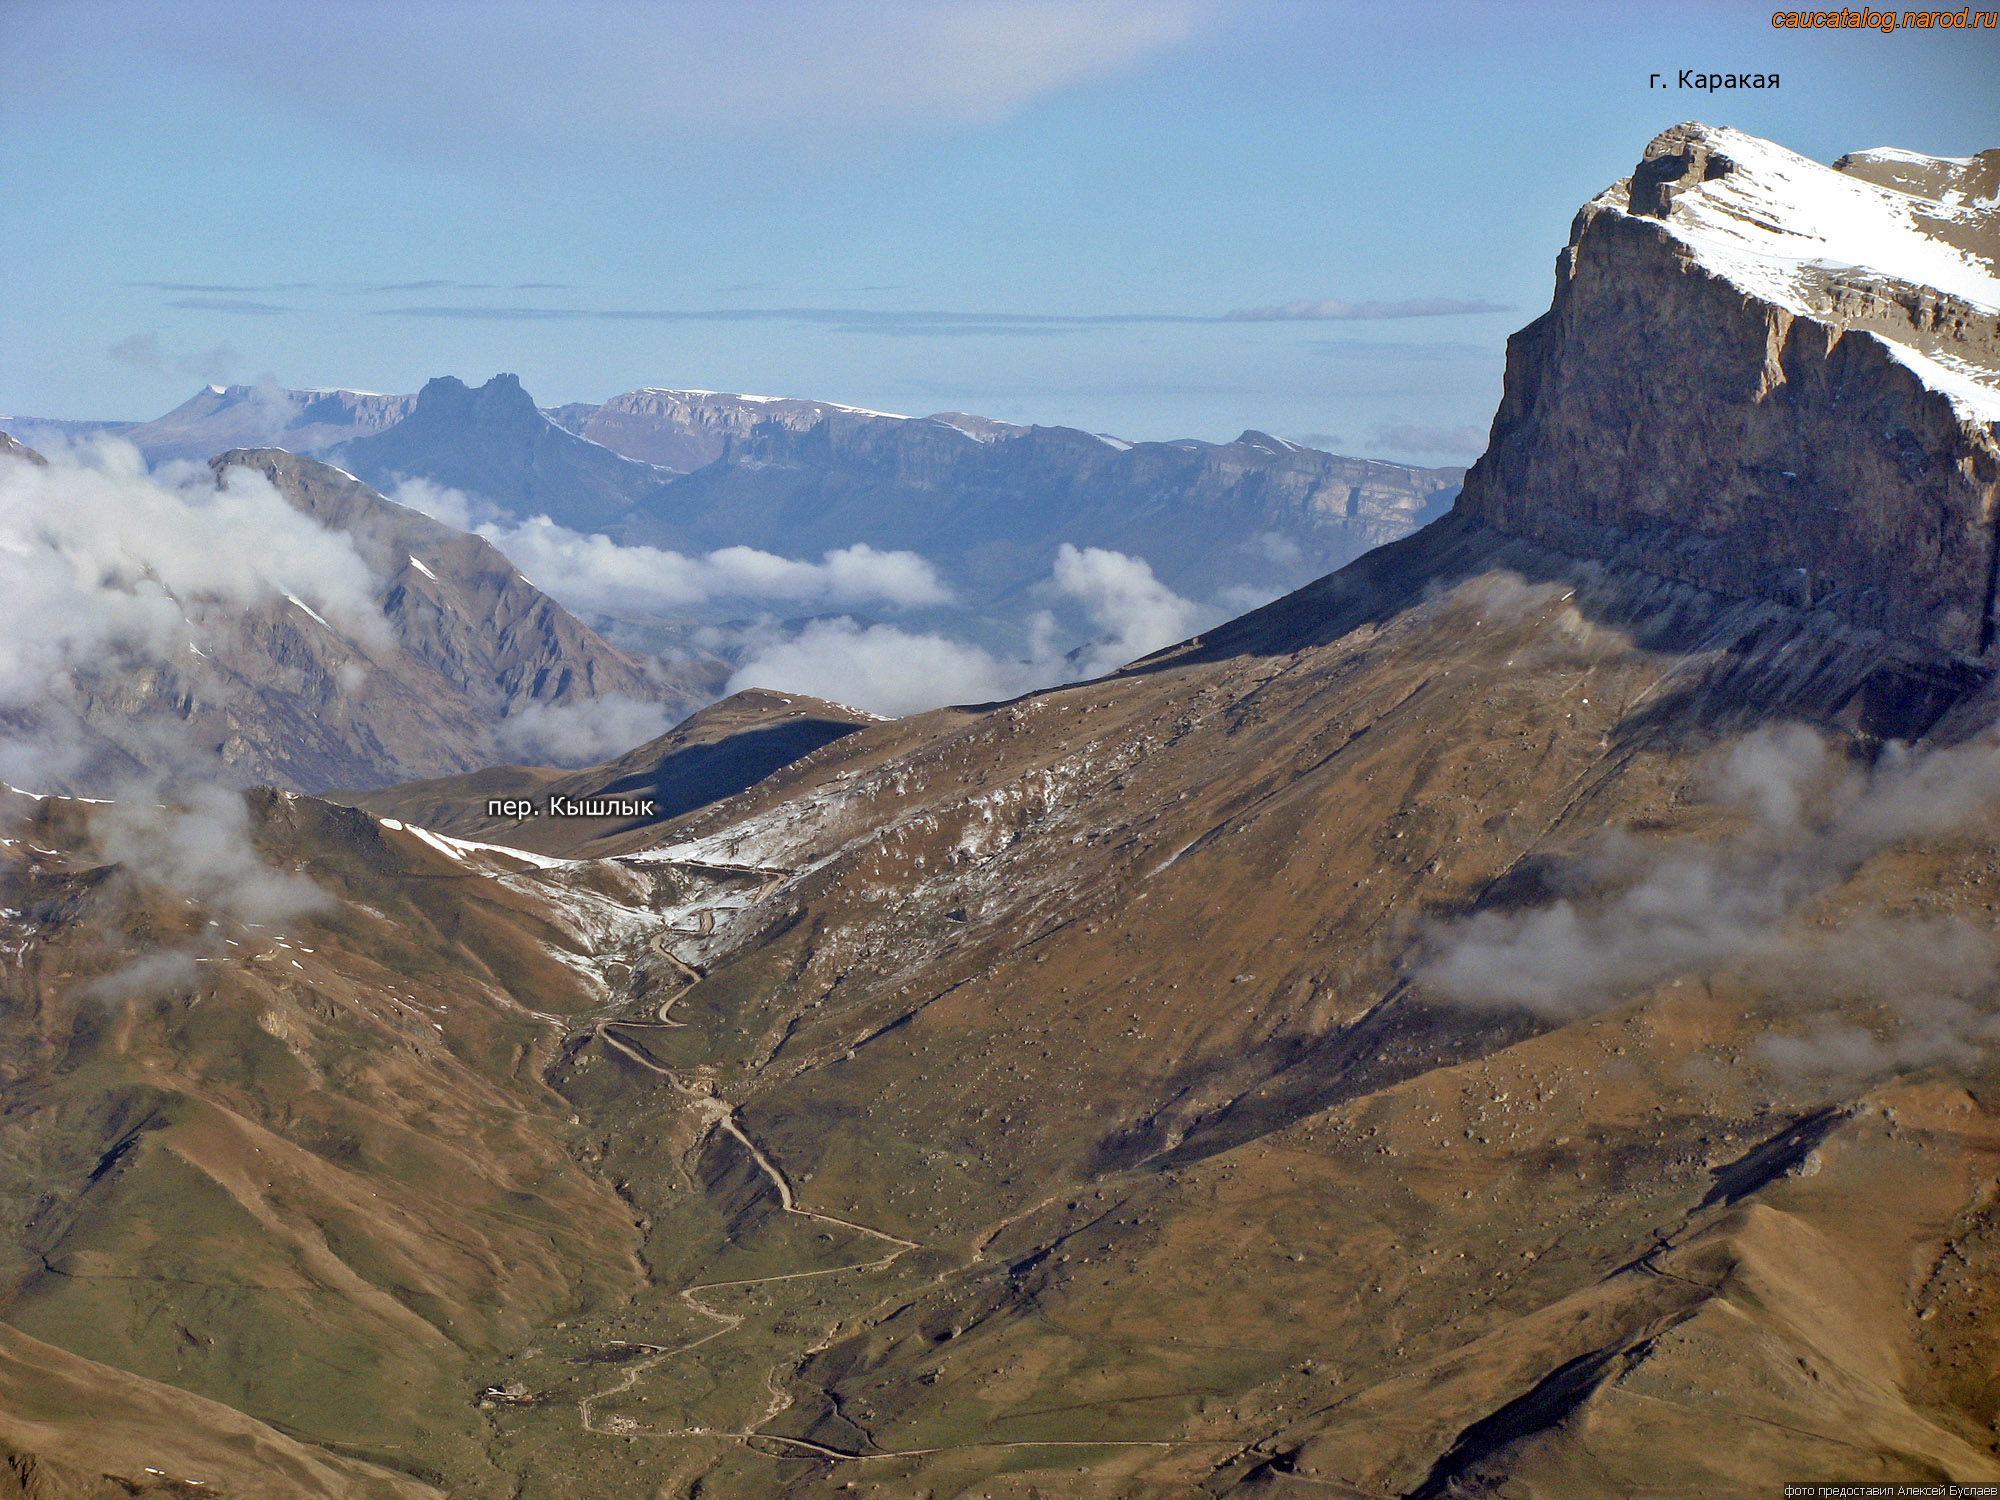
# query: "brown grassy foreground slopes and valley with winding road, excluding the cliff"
[[1083, 1029]]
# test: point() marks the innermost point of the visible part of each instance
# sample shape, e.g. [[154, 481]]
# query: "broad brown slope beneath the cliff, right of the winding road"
[[1099, 999]]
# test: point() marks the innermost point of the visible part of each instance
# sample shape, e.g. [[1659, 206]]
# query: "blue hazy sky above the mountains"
[[1041, 211]]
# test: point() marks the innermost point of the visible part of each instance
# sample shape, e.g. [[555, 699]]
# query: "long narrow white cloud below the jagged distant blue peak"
[[593, 573]]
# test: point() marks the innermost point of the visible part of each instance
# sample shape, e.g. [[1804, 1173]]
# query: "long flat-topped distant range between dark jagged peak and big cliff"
[[991, 501]]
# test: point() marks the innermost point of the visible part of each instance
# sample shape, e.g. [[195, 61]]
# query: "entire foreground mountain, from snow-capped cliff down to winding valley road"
[[1505, 1019]]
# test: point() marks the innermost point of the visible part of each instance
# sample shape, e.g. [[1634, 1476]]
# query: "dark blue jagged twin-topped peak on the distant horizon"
[[495, 443]]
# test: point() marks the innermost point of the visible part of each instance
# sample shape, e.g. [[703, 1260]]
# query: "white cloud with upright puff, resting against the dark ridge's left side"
[[889, 671]]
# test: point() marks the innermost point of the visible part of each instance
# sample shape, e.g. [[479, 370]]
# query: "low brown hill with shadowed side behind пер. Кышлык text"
[[713, 755]]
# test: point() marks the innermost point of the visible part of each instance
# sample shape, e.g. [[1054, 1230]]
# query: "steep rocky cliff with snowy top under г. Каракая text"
[[1771, 379]]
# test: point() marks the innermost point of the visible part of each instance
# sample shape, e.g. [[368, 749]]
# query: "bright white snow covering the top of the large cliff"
[[1779, 217]]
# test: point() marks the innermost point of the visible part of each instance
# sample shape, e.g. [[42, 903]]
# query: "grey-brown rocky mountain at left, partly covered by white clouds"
[[467, 659]]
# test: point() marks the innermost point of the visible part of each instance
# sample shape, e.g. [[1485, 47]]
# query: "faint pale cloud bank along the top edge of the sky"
[[645, 73]]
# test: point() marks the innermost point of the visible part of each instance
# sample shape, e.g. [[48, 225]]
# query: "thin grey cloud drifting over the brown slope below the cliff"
[[1639, 913]]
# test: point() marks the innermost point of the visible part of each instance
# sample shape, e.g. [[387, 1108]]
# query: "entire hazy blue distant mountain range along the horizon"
[[985, 501]]
